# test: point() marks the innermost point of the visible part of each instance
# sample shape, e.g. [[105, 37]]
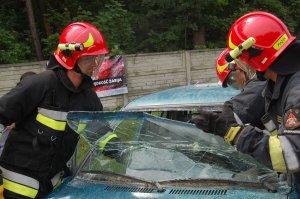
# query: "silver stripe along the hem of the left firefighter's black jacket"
[[20, 178]]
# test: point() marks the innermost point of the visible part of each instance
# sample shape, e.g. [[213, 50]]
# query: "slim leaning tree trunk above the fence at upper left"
[[35, 37]]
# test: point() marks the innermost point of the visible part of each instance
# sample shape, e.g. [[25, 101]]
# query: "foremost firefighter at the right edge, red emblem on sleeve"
[[262, 41]]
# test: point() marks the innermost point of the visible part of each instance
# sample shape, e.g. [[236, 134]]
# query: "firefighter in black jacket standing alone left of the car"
[[37, 150]]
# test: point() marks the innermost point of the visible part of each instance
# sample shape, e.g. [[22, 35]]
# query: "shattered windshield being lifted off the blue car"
[[155, 149]]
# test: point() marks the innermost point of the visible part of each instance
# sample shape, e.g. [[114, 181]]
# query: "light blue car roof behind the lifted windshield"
[[183, 98]]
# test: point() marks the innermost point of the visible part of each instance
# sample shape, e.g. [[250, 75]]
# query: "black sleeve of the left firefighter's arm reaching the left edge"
[[22, 100]]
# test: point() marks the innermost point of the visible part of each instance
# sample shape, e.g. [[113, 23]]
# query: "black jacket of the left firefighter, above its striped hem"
[[39, 147]]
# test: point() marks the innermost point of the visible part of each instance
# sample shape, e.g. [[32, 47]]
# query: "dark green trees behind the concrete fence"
[[130, 26]]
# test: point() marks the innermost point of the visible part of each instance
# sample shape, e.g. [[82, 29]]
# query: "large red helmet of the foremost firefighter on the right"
[[270, 34]]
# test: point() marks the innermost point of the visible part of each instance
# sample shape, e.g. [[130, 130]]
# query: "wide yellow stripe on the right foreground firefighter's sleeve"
[[276, 154]]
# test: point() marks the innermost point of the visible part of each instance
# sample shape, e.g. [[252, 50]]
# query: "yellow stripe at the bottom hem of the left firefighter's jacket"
[[19, 189]]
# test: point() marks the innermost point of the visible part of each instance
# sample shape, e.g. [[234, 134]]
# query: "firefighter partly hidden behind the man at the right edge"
[[243, 108]]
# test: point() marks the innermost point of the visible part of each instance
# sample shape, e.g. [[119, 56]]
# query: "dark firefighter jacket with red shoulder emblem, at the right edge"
[[278, 150]]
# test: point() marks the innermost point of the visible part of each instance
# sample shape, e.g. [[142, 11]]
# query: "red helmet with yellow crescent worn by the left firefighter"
[[79, 39]]
